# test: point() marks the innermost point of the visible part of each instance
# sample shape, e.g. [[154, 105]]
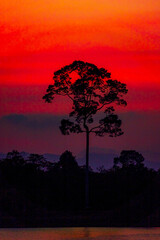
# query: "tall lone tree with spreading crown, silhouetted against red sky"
[[91, 90]]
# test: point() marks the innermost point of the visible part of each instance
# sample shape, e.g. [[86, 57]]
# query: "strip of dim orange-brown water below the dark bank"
[[81, 234]]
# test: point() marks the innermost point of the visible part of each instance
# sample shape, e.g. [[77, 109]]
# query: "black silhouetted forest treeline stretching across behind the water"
[[35, 192]]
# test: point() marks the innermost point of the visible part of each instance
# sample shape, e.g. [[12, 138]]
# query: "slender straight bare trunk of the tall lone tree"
[[87, 171]]
